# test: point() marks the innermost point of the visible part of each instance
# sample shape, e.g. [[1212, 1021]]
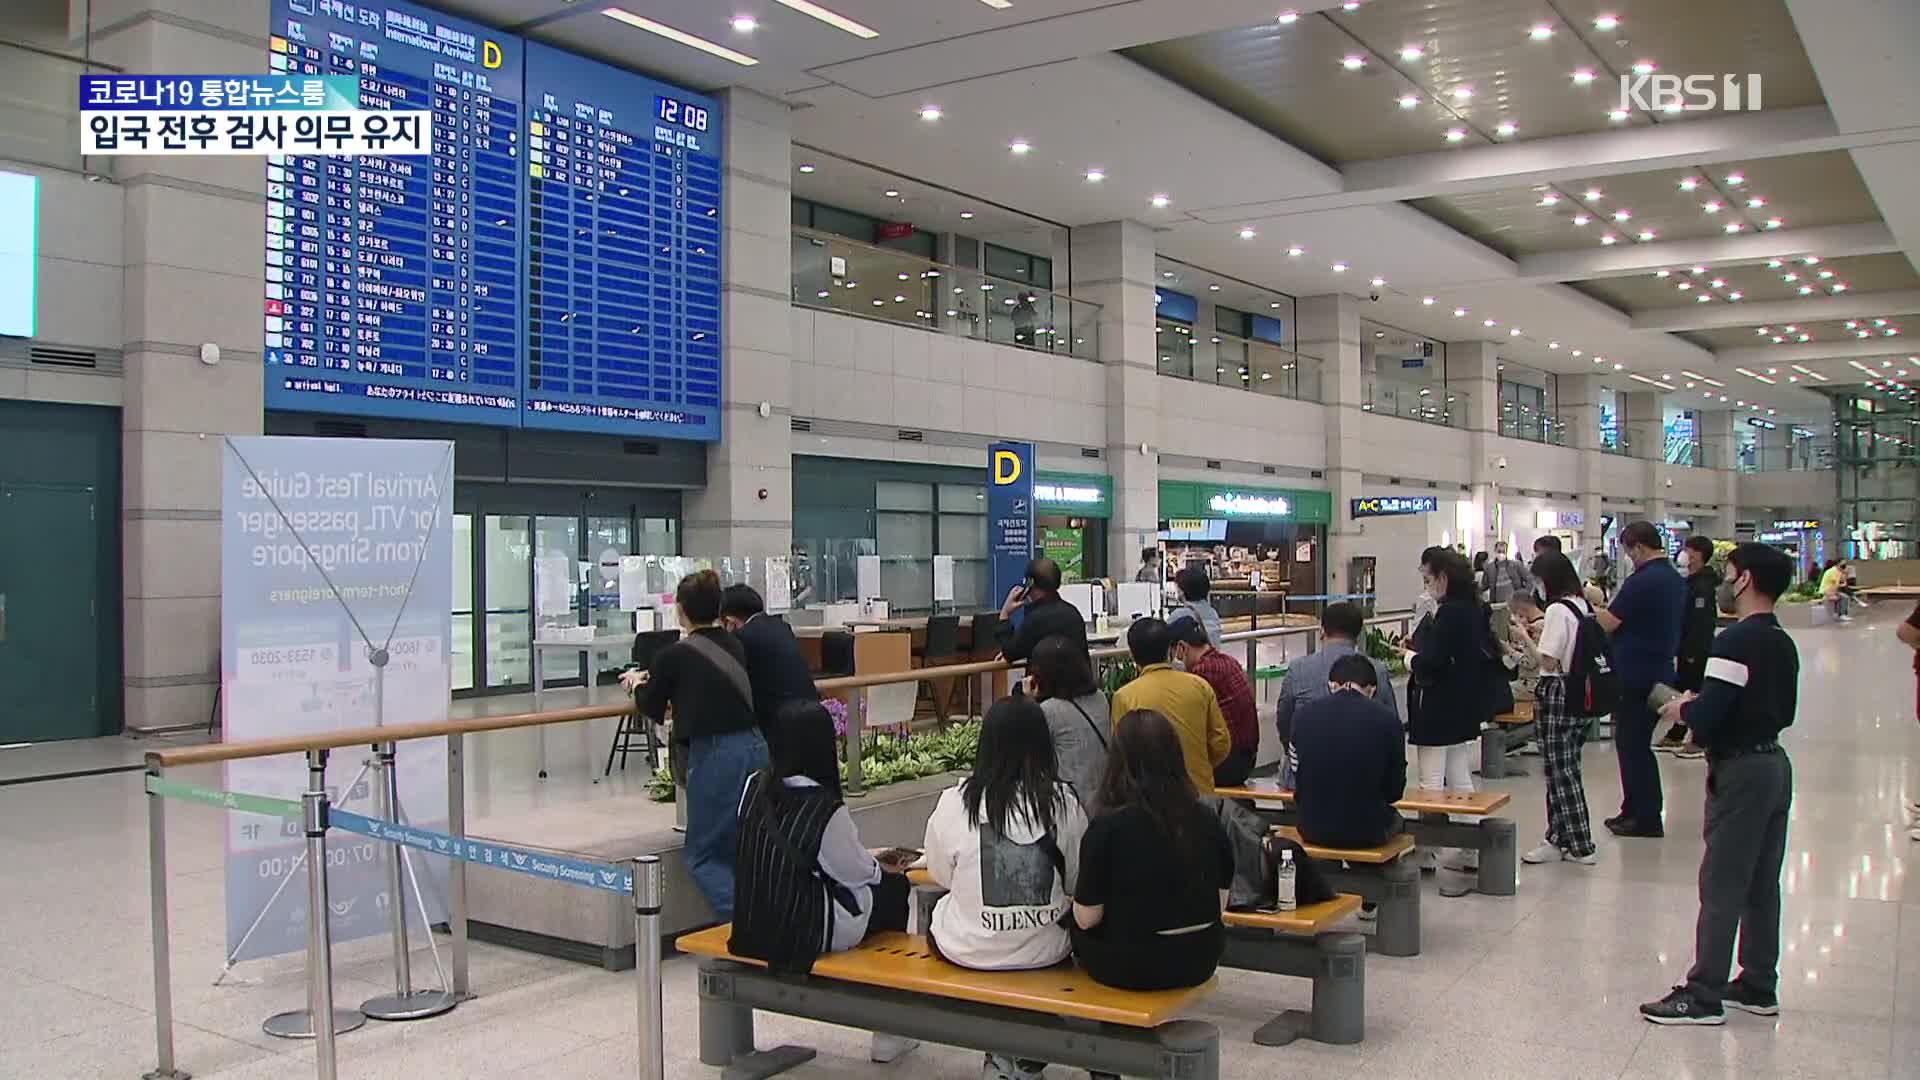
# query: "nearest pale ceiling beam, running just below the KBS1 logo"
[[1675, 145]]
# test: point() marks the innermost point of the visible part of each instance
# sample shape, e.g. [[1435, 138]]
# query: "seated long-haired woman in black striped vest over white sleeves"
[[802, 862]]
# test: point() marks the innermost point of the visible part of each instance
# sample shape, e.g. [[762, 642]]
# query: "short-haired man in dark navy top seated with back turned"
[[1353, 762]]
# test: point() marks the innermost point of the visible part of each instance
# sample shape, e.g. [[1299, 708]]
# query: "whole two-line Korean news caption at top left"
[[243, 114]]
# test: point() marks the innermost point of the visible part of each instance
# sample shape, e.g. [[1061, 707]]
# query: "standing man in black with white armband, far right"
[[1744, 704]]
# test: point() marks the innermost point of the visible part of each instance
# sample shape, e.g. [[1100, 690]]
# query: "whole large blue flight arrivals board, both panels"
[[556, 264]]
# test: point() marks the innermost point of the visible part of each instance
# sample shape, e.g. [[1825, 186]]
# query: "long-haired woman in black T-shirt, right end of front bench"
[[1155, 870]]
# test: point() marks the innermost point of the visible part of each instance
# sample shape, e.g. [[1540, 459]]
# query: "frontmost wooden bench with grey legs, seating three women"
[[1057, 1016]]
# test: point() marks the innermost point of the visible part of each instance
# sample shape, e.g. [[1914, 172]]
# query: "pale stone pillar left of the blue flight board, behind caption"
[[195, 274]]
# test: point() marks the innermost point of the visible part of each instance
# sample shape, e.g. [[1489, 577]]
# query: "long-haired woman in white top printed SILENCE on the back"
[[1005, 843]]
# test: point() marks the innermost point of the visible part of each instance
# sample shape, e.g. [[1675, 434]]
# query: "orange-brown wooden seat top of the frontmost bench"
[[903, 962]]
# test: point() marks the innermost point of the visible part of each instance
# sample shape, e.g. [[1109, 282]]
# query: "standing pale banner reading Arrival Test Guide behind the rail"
[[329, 545]]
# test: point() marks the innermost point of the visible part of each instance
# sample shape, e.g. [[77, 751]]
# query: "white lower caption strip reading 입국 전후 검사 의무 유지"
[[327, 134]]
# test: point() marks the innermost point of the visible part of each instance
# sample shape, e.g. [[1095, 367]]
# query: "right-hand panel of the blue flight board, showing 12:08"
[[623, 258]]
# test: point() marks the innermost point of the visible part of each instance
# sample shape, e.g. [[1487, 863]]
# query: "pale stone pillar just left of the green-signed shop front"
[[1115, 268]]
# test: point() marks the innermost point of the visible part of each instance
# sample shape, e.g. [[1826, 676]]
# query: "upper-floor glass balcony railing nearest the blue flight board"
[[836, 274]]
